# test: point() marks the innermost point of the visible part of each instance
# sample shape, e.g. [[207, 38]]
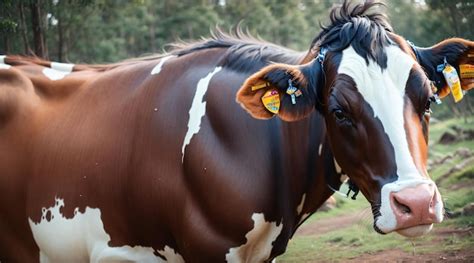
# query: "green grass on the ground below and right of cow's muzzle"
[[360, 238]]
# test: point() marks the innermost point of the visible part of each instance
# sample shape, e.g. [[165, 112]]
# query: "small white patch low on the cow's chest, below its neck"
[[259, 241]]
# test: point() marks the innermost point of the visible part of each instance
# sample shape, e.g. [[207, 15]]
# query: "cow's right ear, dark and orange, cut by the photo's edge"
[[457, 52]]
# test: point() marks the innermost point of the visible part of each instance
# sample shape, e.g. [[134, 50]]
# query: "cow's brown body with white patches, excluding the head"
[[106, 160]]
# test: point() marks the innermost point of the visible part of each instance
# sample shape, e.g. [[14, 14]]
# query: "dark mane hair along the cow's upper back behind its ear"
[[244, 52]]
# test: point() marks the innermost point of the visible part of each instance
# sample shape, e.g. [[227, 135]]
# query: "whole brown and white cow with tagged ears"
[[153, 160]]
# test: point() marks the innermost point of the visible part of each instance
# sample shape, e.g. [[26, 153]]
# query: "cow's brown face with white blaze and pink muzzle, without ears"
[[377, 121]]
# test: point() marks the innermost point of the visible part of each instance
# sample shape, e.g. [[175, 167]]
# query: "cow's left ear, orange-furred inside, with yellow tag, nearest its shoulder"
[[285, 90]]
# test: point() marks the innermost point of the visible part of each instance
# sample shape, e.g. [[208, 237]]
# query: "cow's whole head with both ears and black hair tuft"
[[375, 96]]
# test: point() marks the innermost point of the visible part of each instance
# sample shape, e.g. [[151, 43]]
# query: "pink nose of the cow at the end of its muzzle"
[[415, 206]]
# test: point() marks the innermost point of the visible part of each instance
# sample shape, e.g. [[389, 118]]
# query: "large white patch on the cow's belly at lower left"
[[82, 238]]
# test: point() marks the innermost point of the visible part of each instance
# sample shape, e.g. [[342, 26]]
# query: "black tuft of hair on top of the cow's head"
[[363, 26]]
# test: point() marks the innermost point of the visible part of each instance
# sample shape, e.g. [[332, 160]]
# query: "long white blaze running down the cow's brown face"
[[384, 91]]
